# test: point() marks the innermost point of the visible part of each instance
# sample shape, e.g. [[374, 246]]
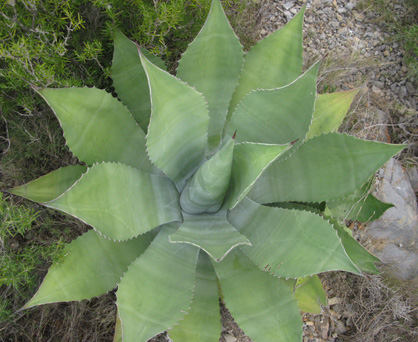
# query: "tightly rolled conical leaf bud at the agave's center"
[[205, 190]]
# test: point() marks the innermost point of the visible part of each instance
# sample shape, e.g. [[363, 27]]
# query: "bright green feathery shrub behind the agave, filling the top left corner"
[[68, 42]]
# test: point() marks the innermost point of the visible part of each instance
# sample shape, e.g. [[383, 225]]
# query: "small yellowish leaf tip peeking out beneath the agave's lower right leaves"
[[310, 294]]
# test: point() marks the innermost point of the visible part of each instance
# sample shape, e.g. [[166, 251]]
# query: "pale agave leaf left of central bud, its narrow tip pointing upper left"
[[177, 135]]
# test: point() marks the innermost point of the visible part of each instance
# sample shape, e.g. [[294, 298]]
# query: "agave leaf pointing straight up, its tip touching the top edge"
[[212, 64]]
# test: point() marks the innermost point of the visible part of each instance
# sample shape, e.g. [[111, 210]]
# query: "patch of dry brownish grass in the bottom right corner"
[[378, 312]]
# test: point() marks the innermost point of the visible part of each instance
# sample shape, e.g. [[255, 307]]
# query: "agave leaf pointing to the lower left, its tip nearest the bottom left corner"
[[91, 267]]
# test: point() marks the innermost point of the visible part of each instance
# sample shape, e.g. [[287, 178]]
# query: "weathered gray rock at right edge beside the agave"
[[394, 237]]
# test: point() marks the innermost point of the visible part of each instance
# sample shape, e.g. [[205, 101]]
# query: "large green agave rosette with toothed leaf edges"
[[225, 181]]
